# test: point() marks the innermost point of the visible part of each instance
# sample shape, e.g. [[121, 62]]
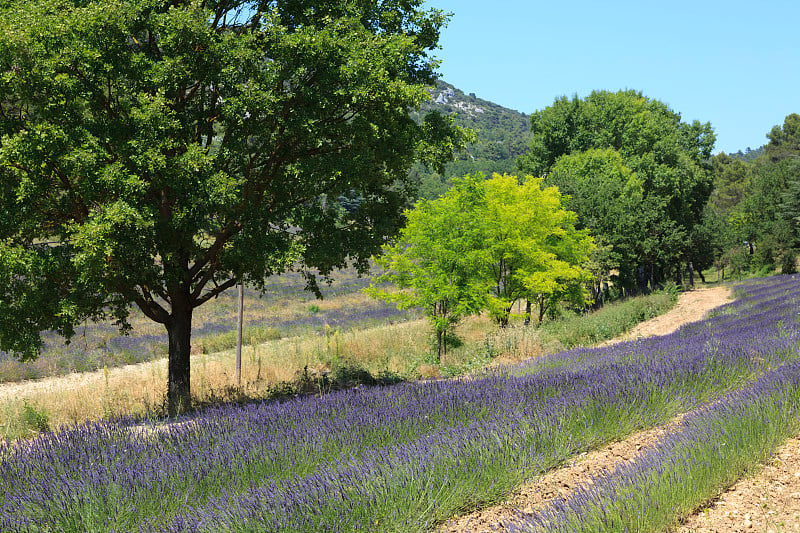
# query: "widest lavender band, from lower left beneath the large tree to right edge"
[[387, 459]]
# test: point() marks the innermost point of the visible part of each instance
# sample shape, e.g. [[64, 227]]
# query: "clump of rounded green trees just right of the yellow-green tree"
[[640, 176]]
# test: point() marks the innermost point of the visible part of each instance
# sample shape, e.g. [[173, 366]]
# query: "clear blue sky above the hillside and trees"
[[731, 63]]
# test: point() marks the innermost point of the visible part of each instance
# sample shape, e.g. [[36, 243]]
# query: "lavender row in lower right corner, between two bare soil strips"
[[714, 446]]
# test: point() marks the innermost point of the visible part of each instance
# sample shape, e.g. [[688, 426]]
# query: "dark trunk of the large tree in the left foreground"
[[179, 331]]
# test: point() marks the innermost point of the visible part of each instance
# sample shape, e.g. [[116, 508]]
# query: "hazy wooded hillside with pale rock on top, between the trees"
[[502, 135]]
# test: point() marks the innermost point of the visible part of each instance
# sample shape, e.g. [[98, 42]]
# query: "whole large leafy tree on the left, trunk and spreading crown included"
[[159, 152]]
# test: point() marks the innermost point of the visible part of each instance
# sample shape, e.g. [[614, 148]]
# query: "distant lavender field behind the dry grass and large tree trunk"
[[284, 309]]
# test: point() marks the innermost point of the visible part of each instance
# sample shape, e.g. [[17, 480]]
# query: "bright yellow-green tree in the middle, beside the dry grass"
[[484, 245]]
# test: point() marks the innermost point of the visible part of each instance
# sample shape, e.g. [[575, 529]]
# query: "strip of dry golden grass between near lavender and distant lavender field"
[[403, 350]]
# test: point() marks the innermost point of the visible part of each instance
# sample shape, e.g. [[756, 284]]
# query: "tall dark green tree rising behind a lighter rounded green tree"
[[669, 157]]
